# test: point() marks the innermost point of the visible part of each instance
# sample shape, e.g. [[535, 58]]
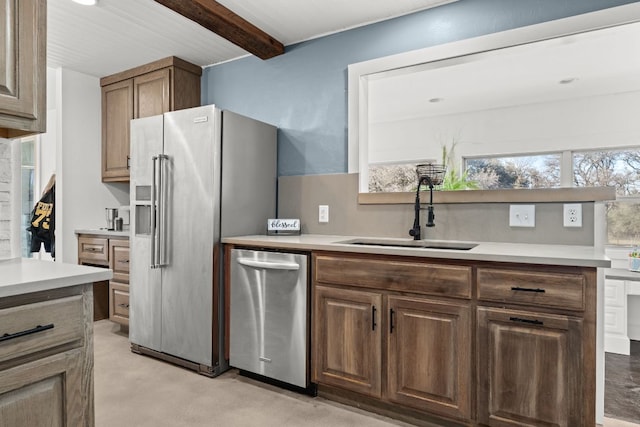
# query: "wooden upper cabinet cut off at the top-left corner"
[[23, 79]]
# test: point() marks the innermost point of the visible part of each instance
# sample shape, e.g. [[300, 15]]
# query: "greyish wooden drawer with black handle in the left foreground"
[[39, 326]]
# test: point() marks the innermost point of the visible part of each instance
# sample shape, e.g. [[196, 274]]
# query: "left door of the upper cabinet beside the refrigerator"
[[117, 112]]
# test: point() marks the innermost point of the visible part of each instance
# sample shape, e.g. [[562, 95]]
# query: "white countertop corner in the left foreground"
[[25, 275]]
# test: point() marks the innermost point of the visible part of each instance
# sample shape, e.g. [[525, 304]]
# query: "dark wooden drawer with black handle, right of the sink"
[[523, 287]]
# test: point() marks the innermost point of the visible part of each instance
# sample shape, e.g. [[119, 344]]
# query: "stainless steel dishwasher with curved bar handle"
[[269, 303]]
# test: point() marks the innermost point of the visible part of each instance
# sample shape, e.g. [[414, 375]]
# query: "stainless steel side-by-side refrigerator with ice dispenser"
[[196, 175]]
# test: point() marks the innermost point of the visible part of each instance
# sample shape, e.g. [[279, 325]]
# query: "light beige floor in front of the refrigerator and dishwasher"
[[134, 390]]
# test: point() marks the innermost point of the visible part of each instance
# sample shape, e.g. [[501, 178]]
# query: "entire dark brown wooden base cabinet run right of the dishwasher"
[[446, 342]]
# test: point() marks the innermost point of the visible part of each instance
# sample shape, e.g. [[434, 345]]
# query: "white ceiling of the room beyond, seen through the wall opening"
[[599, 63]]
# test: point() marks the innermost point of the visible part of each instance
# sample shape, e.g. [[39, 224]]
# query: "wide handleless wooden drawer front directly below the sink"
[[400, 275]]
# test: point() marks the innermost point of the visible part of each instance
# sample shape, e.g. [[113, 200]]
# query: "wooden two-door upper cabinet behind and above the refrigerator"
[[165, 85]]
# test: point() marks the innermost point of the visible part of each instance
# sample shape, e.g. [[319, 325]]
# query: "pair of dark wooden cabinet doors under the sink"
[[428, 348]]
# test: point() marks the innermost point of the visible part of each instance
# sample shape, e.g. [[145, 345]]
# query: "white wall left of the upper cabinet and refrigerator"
[[81, 197]]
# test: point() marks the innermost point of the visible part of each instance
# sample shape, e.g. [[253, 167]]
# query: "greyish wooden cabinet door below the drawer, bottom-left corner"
[[45, 392]]
